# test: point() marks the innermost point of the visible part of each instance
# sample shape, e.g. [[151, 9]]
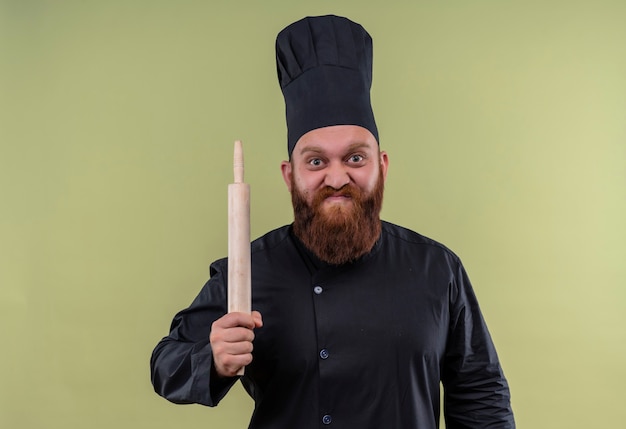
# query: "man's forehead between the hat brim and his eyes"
[[335, 139]]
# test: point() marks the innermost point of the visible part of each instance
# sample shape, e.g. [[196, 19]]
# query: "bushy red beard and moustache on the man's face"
[[343, 233]]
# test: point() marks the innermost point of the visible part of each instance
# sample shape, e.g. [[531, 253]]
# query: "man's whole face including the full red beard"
[[336, 178]]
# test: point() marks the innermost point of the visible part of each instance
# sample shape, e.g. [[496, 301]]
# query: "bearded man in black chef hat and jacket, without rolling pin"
[[356, 321]]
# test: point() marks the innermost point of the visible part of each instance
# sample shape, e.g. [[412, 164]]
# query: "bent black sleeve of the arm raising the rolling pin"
[[182, 363]]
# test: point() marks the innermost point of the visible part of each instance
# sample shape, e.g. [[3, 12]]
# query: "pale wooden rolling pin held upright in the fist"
[[239, 277]]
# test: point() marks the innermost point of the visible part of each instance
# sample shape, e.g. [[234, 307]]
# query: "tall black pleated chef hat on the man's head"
[[324, 66]]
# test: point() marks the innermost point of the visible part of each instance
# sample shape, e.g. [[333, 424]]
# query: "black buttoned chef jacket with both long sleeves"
[[363, 345]]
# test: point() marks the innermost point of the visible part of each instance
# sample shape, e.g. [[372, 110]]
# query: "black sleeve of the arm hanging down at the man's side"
[[476, 393]]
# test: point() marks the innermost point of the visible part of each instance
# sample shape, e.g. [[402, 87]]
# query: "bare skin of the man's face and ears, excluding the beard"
[[334, 157]]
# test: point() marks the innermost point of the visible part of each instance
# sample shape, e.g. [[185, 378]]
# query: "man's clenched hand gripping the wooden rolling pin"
[[231, 341]]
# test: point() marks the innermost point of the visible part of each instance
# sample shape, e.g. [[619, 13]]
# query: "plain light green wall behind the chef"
[[505, 123]]
